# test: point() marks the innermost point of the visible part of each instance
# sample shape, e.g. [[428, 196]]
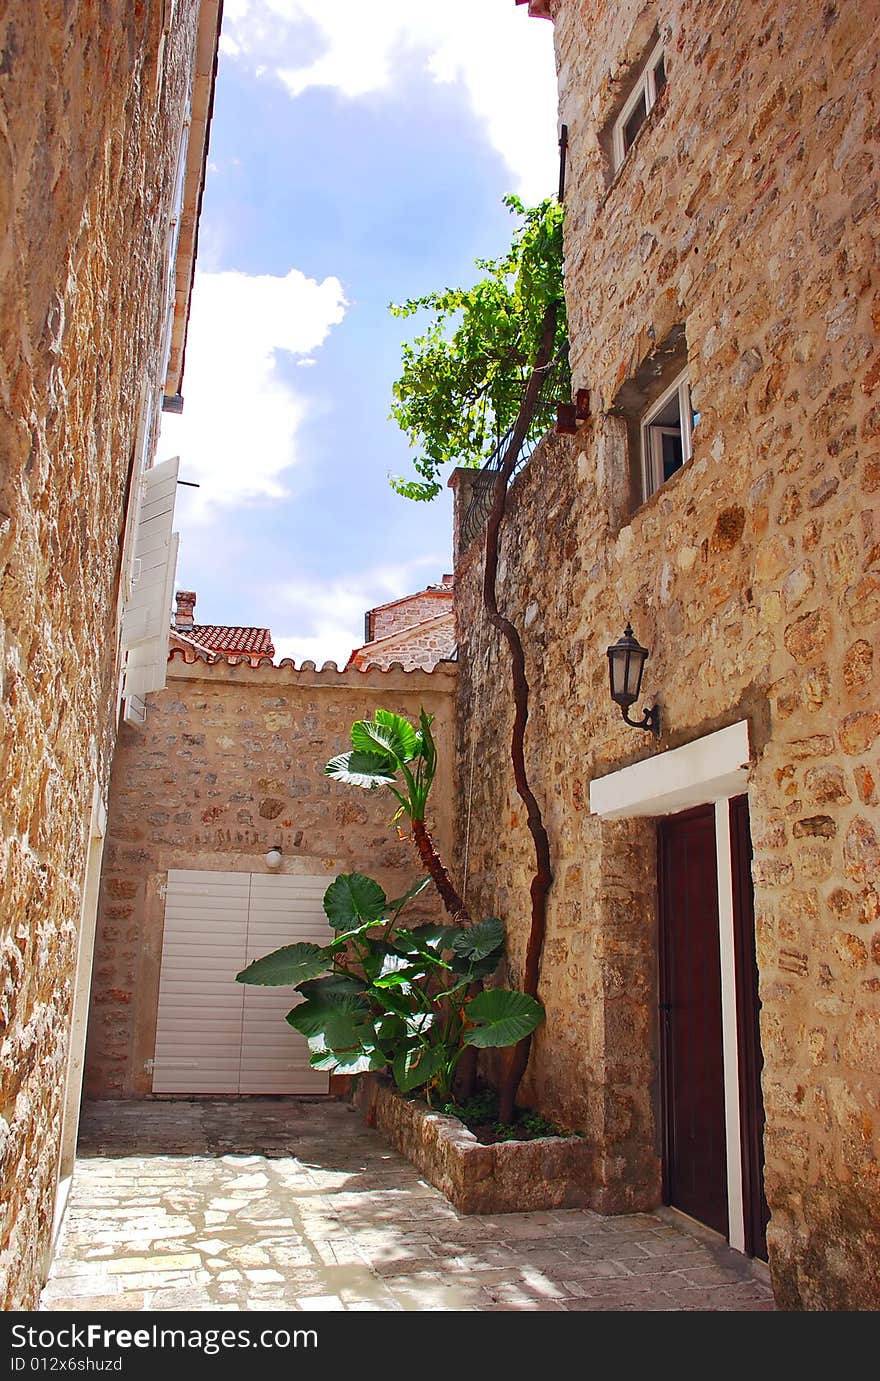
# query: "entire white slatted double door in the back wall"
[[213, 1035]]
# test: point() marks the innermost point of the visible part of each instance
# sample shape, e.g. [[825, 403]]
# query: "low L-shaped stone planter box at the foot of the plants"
[[508, 1177]]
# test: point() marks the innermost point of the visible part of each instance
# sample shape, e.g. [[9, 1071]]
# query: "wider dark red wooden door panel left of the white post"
[[691, 1036]]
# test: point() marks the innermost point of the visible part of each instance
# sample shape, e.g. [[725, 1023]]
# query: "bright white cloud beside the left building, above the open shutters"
[[237, 434]]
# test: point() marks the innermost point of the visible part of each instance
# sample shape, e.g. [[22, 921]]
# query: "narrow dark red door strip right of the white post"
[[749, 1036]]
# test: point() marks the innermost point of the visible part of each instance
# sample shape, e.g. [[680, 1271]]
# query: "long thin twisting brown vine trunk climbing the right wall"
[[519, 1059]]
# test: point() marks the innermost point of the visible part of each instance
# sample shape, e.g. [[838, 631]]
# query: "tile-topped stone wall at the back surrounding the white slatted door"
[[230, 763]]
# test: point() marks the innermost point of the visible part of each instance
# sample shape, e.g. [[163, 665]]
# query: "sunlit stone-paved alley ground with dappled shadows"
[[283, 1204]]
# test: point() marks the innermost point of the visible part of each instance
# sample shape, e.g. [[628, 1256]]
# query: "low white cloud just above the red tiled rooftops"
[[328, 617]]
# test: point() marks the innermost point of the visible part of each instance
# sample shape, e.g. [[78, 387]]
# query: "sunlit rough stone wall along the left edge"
[[86, 144]]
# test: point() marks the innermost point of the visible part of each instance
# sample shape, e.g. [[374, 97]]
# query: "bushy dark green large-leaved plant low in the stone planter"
[[381, 996]]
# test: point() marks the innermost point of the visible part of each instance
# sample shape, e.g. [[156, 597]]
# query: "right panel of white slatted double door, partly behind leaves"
[[284, 911]]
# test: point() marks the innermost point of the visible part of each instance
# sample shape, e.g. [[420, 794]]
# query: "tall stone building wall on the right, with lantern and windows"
[[744, 213]]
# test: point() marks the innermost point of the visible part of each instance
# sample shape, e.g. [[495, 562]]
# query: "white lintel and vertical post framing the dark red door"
[[709, 771]]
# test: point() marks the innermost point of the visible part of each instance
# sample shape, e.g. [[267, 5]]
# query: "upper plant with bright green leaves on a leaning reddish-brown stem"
[[390, 752]]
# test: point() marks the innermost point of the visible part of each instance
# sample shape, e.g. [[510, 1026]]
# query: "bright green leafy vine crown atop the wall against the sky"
[[462, 382]]
